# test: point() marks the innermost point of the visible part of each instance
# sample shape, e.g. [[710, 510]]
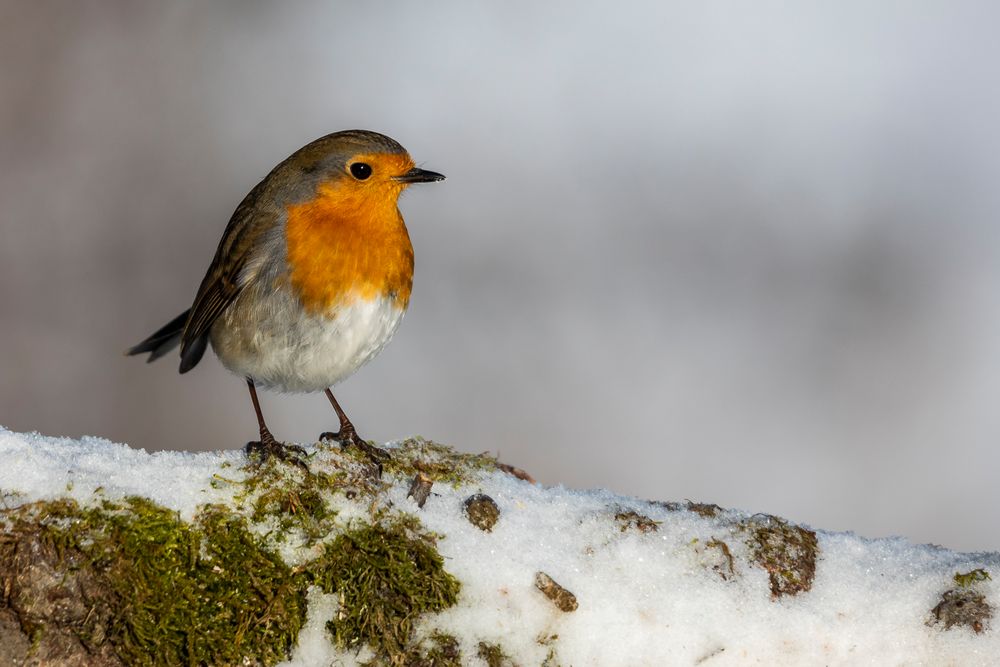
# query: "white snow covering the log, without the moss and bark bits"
[[645, 598]]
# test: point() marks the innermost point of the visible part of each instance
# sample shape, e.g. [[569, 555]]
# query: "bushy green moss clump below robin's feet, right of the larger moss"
[[386, 575]]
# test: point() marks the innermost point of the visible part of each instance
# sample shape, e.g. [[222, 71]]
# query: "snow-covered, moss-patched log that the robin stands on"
[[113, 556]]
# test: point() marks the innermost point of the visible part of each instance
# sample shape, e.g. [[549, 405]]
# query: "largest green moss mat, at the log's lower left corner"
[[168, 592]]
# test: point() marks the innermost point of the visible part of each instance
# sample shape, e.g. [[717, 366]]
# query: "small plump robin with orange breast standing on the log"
[[310, 280]]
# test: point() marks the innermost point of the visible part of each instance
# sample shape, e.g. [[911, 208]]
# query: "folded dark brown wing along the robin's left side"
[[225, 278]]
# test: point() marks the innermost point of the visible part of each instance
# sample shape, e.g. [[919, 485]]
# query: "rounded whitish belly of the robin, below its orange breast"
[[286, 349]]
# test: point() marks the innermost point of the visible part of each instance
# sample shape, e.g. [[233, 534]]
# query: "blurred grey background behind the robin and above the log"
[[738, 253]]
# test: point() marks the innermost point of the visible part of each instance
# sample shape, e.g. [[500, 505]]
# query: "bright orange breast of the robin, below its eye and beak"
[[349, 243]]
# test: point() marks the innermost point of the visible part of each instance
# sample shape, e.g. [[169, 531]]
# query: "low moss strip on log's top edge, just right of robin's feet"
[[439, 462]]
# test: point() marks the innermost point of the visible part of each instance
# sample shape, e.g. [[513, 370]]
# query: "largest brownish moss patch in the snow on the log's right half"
[[787, 552]]
